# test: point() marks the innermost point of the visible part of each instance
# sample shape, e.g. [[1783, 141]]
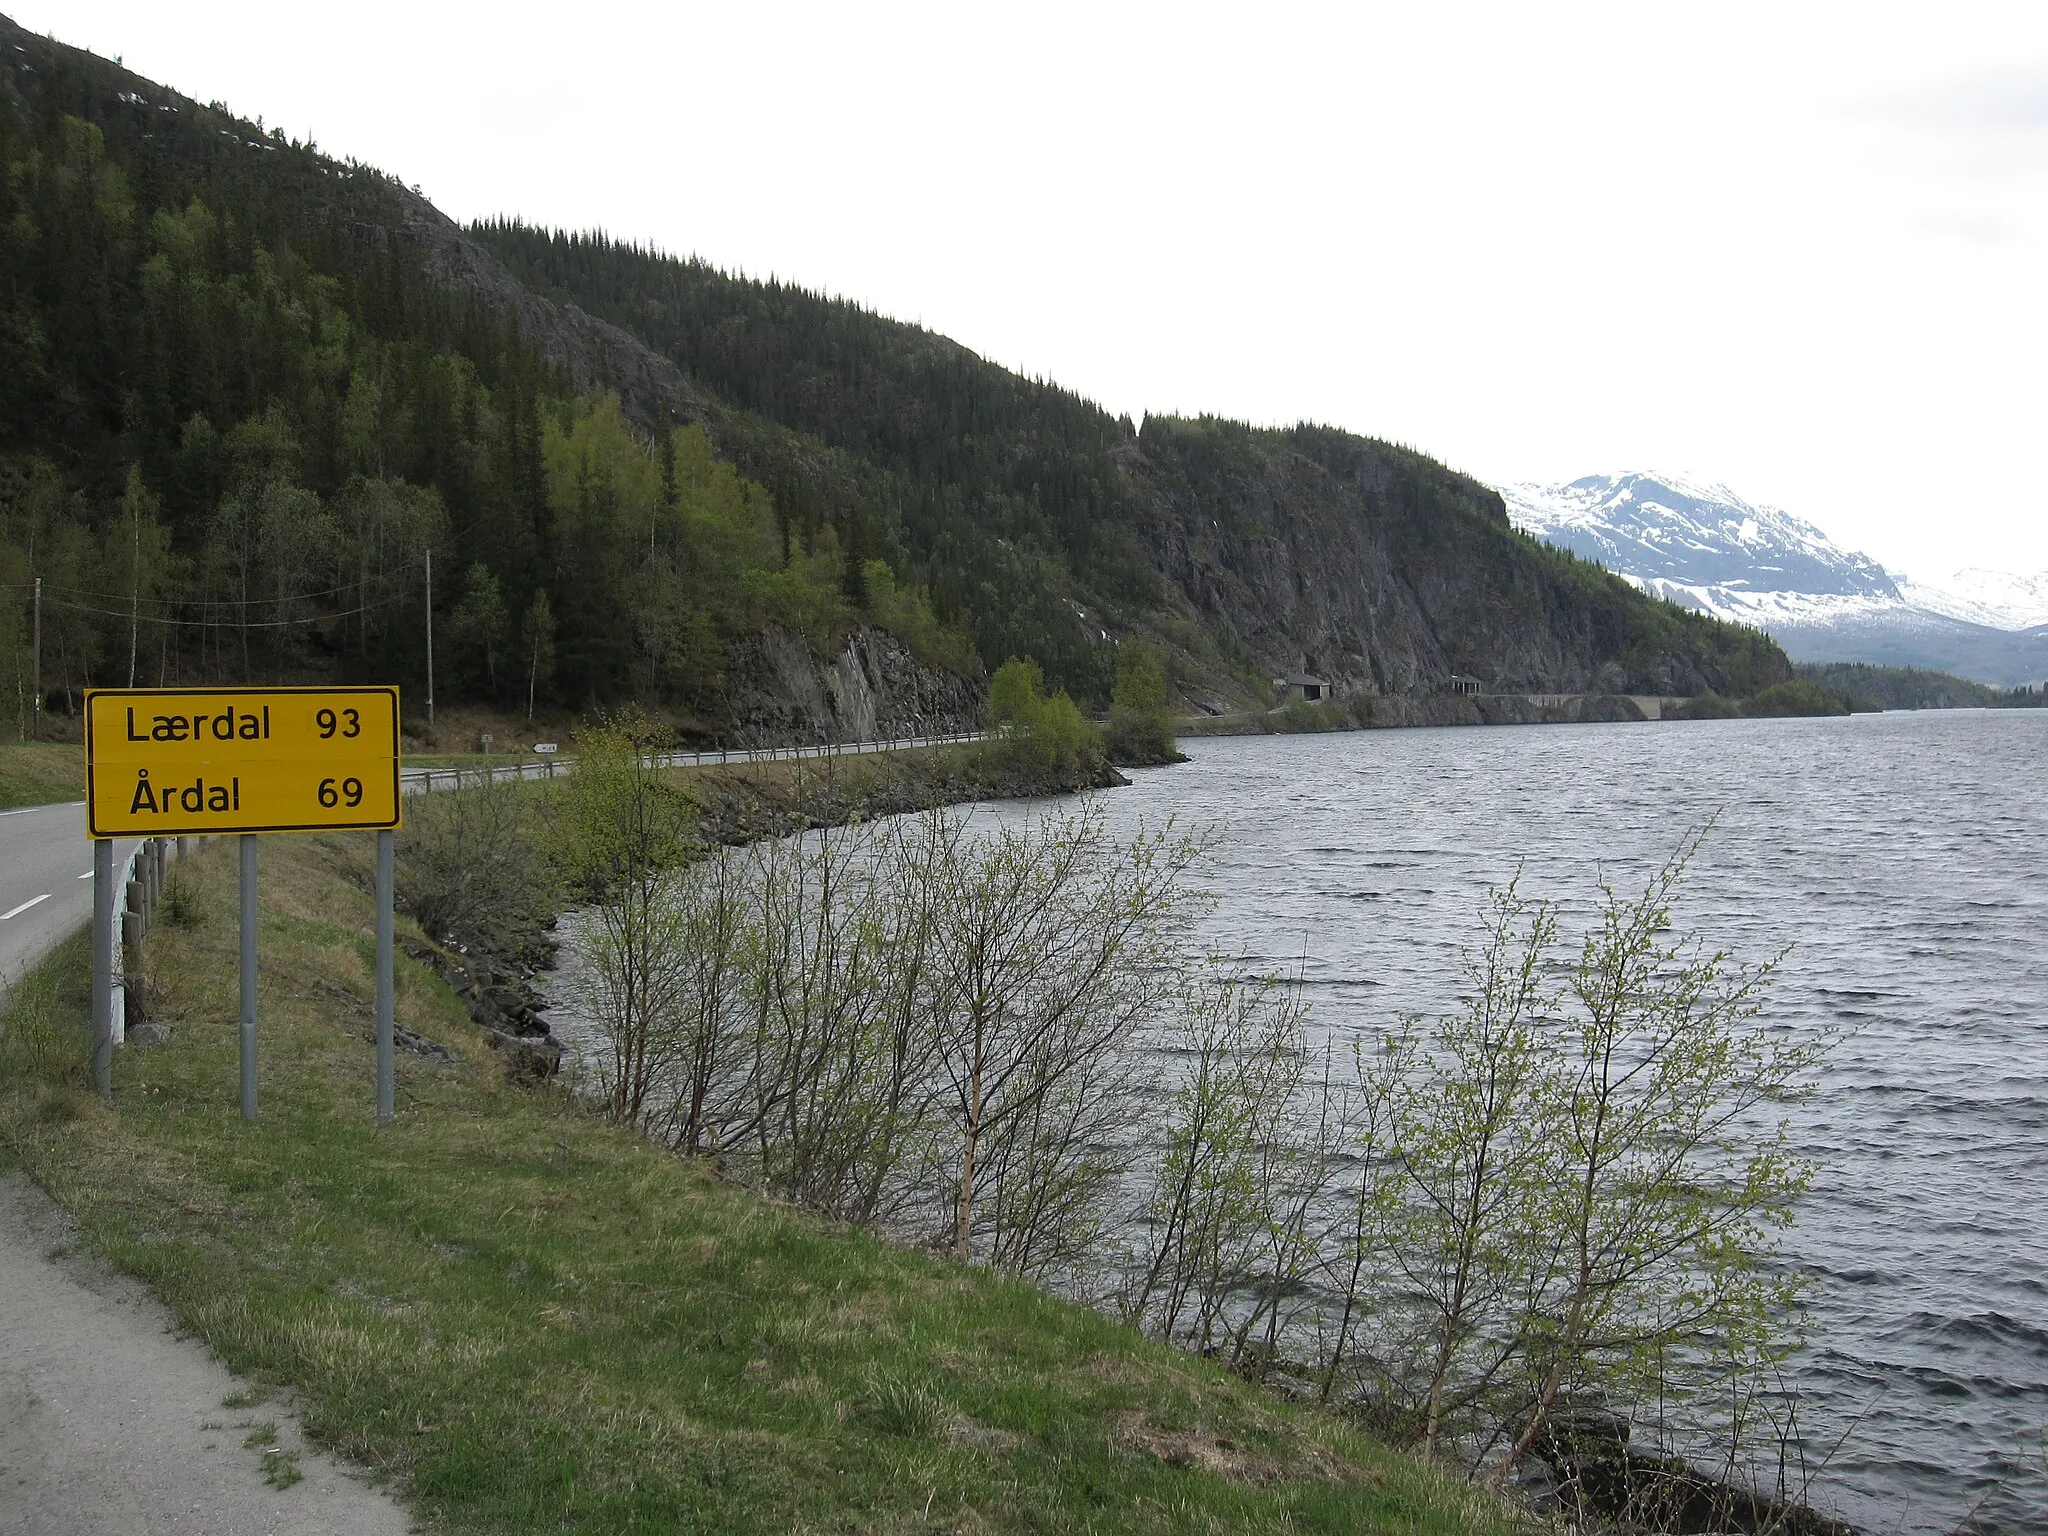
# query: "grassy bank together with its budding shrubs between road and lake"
[[880, 1105]]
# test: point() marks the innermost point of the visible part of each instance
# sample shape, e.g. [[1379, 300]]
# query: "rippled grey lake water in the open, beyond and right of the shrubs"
[[1902, 855]]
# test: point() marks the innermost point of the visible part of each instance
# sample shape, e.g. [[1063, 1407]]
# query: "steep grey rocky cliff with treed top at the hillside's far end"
[[1381, 572]]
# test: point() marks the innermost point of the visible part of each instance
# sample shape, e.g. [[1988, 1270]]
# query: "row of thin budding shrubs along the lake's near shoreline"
[[1496, 1240]]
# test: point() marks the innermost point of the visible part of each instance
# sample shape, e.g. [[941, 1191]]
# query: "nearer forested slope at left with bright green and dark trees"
[[234, 431]]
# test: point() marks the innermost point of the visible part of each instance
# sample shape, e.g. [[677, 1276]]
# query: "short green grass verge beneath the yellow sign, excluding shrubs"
[[534, 1322]]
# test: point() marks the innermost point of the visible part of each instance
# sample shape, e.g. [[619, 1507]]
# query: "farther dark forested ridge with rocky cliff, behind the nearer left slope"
[[1041, 521]]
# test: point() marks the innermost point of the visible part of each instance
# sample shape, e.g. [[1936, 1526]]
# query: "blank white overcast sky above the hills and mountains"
[[1795, 249]]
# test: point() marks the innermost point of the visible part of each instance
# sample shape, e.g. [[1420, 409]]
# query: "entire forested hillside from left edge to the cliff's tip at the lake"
[[249, 394]]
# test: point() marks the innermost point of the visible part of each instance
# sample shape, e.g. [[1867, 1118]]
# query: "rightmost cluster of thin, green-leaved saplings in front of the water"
[[1564, 1195]]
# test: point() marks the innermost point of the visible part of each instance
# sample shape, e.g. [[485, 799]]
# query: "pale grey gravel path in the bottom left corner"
[[110, 1422]]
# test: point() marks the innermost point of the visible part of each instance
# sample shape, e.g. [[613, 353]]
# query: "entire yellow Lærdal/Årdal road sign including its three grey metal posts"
[[171, 763]]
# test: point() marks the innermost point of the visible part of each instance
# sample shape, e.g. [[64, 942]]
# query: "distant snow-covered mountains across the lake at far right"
[[1705, 548]]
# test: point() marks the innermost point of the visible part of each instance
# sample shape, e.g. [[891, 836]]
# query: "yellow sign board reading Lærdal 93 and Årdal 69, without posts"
[[194, 761]]
